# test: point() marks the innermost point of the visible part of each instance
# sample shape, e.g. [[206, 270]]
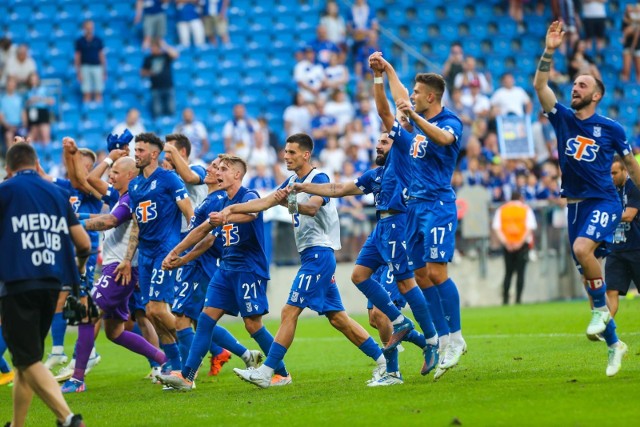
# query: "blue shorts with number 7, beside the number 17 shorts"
[[386, 246]]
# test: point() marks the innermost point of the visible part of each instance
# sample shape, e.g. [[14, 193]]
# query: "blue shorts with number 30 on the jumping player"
[[594, 219]]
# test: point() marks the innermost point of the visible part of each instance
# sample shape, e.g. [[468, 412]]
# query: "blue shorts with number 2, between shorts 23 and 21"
[[191, 288]]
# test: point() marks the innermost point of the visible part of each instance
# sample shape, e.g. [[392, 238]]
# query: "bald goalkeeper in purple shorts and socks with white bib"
[[110, 296]]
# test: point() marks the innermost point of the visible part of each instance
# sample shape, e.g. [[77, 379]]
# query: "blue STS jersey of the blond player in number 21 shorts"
[[243, 244]]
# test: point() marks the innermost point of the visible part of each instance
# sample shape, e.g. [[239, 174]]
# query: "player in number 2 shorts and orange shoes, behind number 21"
[[197, 268]]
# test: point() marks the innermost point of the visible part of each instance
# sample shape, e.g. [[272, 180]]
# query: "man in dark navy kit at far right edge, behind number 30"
[[621, 266]]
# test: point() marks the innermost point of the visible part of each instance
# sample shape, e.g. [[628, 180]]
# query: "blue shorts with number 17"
[[431, 231]]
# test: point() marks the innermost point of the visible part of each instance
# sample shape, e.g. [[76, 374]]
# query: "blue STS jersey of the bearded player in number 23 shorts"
[[153, 201]]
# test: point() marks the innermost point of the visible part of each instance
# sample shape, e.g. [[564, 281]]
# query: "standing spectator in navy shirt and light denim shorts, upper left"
[[90, 63]]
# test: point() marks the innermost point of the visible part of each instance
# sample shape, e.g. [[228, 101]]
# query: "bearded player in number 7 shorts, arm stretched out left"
[[385, 246]]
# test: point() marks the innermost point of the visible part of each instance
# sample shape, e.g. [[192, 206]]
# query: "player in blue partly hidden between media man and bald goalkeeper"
[[84, 202]]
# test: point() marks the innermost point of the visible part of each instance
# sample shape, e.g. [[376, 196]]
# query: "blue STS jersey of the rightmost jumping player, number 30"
[[586, 149]]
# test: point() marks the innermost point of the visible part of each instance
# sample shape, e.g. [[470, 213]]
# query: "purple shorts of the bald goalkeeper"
[[111, 296]]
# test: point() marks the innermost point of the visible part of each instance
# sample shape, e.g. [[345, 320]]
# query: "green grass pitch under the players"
[[526, 365]]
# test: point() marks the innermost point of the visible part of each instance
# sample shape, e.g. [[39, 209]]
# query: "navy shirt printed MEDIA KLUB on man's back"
[[35, 218]]
